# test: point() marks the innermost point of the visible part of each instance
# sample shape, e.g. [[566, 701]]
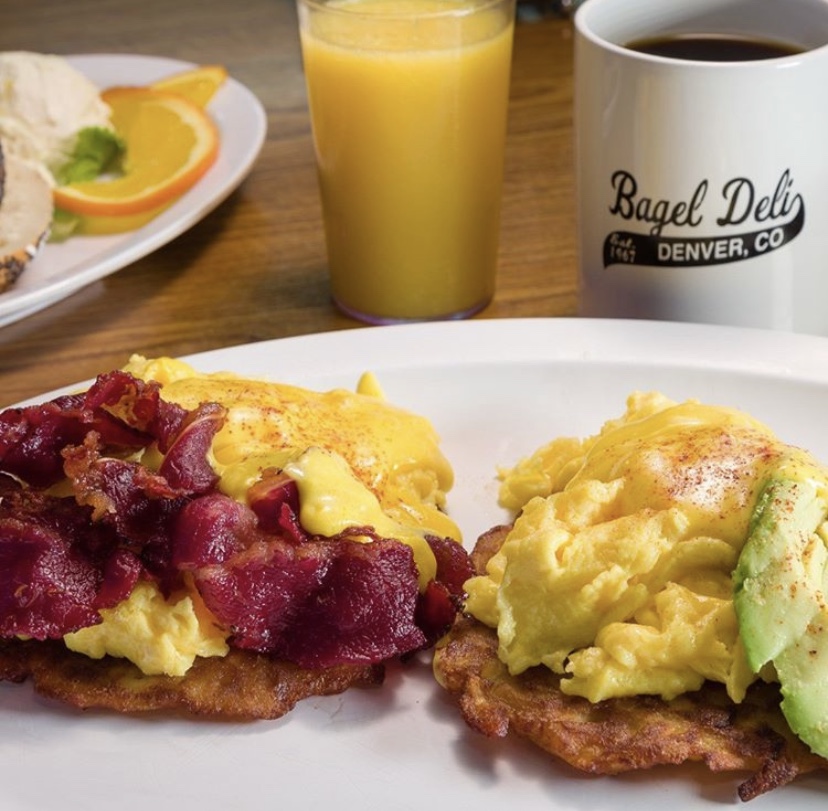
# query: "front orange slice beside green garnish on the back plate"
[[170, 143]]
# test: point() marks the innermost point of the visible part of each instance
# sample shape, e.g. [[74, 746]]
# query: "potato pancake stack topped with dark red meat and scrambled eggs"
[[217, 545]]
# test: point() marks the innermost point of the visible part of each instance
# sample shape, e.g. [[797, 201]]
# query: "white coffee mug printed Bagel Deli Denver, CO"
[[703, 185]]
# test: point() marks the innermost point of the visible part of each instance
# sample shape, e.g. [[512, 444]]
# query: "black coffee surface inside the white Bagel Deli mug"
[[713, 47]]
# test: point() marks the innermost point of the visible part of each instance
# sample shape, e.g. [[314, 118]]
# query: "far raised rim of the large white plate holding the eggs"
[[775, 354]]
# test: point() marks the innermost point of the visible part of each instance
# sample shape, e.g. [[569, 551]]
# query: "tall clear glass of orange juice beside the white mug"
[[408, 102]]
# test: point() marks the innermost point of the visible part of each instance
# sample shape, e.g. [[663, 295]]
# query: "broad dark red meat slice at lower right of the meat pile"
[[319, 604]]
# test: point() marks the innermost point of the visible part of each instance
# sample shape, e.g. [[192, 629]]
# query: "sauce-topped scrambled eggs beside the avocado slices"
[[618, 571]]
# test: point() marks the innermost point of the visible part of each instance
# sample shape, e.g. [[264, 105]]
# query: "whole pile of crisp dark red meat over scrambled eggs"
[[315, 601]]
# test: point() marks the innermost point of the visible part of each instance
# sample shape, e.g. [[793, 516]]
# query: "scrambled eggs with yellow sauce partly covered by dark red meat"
[[356, 459]]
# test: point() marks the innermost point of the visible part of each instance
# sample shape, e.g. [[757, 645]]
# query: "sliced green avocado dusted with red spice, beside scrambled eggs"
[[780, 601]]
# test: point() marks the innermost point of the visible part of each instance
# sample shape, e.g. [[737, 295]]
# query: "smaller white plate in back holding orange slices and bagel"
[[61, 269]]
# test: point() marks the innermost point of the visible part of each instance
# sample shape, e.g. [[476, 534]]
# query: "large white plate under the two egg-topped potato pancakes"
[[495, 390]]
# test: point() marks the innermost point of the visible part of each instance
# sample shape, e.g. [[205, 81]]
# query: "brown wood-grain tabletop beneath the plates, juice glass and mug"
[[255, 268]]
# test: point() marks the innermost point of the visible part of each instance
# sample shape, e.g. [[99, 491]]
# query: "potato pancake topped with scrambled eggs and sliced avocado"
[[658, 599]]
